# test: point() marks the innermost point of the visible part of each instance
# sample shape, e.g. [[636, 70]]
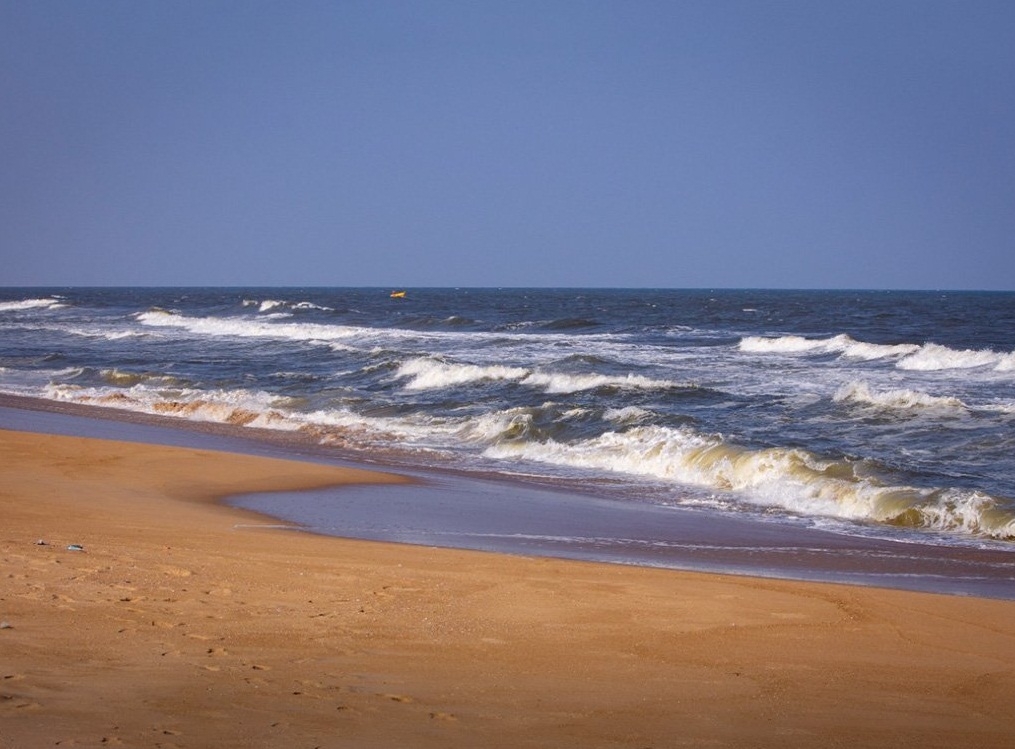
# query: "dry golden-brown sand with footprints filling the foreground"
[[187, 624]]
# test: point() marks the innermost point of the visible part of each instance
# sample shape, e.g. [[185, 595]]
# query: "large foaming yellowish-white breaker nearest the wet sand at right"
[[791, 480]]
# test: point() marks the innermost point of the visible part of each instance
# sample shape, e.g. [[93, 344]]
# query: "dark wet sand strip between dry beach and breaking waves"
[[496, 514]]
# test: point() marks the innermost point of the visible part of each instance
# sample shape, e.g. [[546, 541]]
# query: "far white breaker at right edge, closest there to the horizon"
[[926, 358]]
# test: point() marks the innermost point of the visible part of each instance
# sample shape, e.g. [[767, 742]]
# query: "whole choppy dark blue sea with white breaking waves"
[[872, 414]]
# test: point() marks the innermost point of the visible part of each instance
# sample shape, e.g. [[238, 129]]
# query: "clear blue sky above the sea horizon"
[[715, 144]]
